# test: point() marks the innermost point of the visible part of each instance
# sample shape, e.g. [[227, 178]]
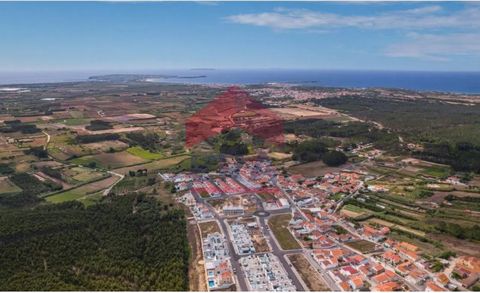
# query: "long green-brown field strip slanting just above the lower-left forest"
[[83, 191]]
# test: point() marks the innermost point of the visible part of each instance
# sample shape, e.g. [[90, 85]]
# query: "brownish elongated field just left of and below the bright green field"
[[109, 160]]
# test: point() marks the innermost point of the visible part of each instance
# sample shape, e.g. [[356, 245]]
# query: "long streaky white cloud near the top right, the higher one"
[[426, 17]]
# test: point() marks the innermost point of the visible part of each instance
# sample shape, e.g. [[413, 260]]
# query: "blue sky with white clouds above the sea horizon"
[[164, 35]]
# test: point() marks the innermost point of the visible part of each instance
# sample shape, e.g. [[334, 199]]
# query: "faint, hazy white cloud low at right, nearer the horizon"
[[436, 47]]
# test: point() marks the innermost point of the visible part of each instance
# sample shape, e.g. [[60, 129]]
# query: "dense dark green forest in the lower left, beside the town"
[[124, 243]]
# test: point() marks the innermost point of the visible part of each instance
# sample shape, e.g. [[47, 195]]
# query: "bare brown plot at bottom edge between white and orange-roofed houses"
[[309, 274]]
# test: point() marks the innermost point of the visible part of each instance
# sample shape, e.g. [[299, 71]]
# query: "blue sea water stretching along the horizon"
[[459, 82]]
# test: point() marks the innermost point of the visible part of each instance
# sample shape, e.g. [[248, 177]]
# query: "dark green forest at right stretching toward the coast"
[[449, 133]]
